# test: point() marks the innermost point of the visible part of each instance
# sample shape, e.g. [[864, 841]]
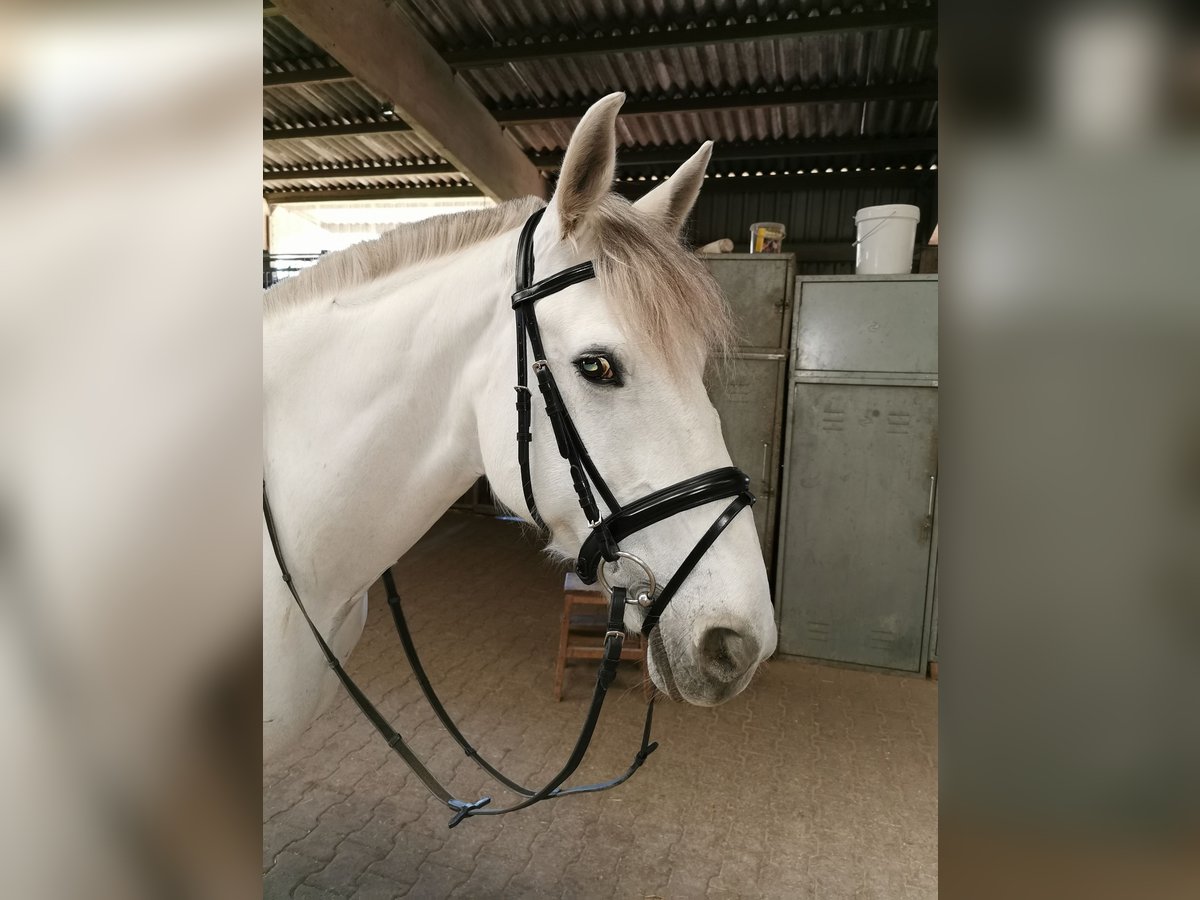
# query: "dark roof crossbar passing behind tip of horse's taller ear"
[[746, 100]]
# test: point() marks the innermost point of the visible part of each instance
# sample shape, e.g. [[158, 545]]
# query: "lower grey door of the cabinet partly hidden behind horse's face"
[[747, 397]]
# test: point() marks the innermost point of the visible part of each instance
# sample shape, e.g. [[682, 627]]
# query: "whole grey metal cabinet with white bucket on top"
[[857, 535]]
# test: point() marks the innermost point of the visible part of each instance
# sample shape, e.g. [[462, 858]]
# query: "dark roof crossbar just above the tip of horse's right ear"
[[759, 151]]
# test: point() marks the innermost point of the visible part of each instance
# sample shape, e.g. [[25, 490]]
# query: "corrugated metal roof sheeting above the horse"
[[897, 56]]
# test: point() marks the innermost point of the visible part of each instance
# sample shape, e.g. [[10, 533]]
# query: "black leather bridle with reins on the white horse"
[[602, 548]]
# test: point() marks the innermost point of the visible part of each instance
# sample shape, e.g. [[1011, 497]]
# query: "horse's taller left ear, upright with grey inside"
[[590, 164]]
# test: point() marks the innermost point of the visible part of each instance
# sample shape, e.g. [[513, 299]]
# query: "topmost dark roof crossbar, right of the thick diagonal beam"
[[701, 37]]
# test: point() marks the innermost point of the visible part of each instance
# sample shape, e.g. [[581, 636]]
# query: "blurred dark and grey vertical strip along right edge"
[[1071, 453]]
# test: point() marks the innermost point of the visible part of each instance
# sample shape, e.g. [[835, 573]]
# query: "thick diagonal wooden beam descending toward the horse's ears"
[[385, 51]]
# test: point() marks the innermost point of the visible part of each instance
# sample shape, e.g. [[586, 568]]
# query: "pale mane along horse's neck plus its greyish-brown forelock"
[[663, 295]]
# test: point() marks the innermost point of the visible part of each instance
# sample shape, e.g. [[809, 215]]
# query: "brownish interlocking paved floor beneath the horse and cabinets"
[[815, 783]]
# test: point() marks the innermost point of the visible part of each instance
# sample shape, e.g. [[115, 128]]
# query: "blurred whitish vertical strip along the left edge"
[[130, 364]]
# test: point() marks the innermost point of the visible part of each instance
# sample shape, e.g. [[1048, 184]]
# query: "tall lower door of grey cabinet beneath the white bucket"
[[862, 463]]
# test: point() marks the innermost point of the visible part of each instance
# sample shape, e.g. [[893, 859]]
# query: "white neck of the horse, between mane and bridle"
[[370, 428]]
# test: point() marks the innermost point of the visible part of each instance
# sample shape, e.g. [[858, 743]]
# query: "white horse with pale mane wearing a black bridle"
[[388, 374]]
